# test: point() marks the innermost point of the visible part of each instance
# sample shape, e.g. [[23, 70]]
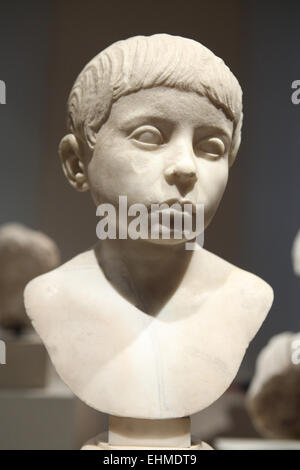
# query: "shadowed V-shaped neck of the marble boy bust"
[[146, 273]]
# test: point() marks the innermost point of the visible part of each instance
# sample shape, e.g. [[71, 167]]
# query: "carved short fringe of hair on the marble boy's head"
[[144, 62]]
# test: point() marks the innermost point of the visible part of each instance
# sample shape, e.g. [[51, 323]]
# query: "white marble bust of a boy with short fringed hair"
[[140, 328]]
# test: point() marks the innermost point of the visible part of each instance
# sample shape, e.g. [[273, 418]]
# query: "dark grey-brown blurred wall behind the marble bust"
[[43, 46]]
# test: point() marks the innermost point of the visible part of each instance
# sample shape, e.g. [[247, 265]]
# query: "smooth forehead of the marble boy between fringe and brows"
[[168, 104]]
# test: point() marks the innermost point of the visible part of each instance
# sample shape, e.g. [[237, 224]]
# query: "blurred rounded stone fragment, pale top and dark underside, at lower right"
[[274, 395]]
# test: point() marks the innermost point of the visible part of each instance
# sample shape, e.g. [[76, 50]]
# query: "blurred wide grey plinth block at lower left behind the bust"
[[50, 418]]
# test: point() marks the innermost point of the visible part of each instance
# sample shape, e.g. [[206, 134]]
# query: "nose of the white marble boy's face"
[[182, 173]]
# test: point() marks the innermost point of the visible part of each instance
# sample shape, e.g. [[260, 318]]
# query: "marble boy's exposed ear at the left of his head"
[[71, 159]]
